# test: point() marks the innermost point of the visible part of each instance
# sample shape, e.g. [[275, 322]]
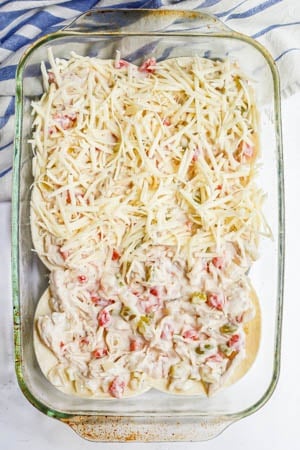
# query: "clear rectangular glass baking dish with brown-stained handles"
[[153, 416]]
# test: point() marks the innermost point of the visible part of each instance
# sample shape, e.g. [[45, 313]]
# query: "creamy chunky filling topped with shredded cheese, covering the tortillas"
[[146, 210]]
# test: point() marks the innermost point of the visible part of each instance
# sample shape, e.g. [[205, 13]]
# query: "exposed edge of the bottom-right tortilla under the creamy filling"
[[238, 367]]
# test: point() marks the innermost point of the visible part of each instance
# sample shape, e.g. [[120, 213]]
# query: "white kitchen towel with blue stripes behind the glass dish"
[[275, 23]]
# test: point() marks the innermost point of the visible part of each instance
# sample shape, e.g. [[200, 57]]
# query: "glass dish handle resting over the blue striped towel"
[[125, 21]]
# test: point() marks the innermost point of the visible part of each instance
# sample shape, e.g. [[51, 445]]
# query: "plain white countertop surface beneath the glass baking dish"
[[275, 426]]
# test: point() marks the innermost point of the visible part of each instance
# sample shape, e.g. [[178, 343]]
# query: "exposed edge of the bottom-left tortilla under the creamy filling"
[[47, 360]]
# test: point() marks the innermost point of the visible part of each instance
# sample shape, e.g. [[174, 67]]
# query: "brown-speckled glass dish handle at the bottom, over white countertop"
[[150, 429]]
